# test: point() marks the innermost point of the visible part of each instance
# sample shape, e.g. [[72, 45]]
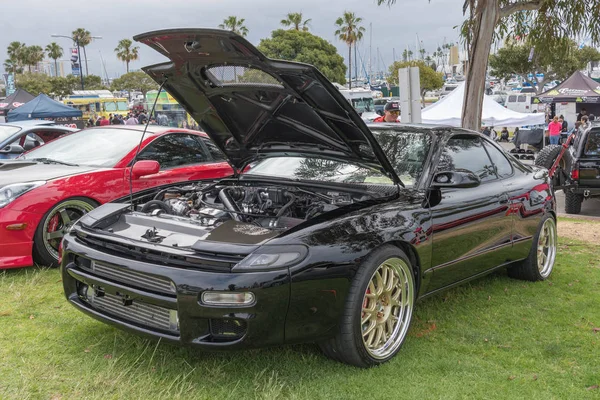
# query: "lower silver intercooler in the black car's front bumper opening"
[[148, 315]]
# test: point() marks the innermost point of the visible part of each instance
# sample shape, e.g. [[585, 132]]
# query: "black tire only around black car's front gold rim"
[[356, 296]]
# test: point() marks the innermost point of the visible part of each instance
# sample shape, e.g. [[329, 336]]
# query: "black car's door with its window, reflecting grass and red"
[[471, 228]]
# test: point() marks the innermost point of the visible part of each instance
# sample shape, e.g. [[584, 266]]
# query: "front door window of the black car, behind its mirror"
[[467, 153]]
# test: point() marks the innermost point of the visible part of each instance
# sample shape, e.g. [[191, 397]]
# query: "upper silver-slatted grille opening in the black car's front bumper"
[[134, 278]]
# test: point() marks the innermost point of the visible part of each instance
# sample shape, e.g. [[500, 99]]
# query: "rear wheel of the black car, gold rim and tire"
[[539, 264]]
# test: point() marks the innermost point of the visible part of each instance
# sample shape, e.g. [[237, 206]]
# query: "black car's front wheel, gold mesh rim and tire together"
[[378, 310]]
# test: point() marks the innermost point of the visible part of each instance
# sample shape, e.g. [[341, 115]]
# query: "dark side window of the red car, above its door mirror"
[[174, 150]]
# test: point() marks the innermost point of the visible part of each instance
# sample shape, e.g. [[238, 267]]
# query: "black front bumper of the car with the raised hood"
[[165, 302]]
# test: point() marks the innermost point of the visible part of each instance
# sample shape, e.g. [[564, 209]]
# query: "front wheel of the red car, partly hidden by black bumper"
[[54, 225]]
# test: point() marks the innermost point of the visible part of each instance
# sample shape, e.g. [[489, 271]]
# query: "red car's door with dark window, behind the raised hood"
[[182, 157]]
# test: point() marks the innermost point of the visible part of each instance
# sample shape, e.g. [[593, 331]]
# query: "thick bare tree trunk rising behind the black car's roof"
[[486, 17]]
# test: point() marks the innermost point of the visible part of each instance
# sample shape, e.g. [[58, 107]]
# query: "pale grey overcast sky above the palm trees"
[[33, 21]]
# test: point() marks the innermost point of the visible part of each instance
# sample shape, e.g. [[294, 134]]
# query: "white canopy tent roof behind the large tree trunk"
[[448, 111]]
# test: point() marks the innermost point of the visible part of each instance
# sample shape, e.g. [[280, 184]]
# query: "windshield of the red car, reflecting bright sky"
[[90, 147]]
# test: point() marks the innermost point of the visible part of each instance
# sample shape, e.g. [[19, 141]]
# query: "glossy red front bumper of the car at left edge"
[[17, 229]]
